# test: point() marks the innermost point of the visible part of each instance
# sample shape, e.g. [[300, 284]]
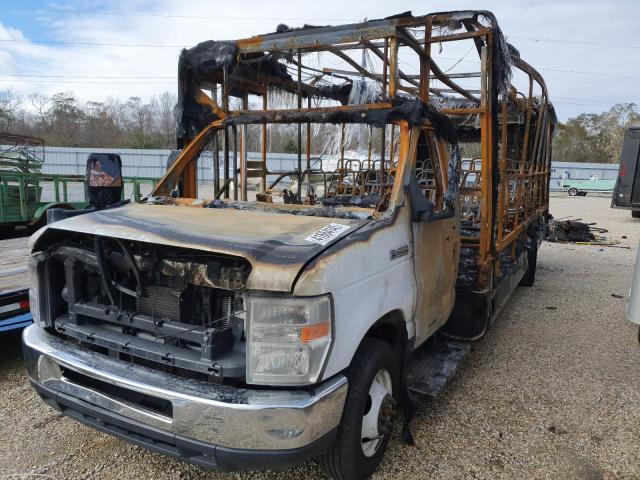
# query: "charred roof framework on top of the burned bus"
[[253, 65]]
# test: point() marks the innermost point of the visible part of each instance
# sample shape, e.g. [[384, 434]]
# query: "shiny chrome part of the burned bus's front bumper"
[[264, 420]]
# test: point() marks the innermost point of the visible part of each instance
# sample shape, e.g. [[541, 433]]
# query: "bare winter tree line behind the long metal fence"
[[63, 120]]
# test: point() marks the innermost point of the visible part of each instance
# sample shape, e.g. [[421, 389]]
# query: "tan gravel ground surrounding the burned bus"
[[552, 391]]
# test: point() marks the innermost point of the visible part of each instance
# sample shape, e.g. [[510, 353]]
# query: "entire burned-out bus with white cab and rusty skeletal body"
[[283, 314]]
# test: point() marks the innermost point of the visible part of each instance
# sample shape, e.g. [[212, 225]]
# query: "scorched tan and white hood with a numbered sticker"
[[277, 245]]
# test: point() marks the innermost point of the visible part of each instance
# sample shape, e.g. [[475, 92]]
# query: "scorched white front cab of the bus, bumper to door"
[[220, 330]]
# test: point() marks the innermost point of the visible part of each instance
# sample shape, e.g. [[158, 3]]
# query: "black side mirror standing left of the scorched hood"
[[103, 179]]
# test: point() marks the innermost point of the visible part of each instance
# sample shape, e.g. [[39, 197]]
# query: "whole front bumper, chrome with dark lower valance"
[[217, 426]]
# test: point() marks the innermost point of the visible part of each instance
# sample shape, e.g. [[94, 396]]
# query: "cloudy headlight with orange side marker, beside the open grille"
[[288, 339]]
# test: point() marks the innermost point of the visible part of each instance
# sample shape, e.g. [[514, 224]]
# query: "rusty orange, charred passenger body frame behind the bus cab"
[[504, 208]]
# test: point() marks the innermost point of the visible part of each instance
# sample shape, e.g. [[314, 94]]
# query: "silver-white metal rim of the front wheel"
[[370, 437]]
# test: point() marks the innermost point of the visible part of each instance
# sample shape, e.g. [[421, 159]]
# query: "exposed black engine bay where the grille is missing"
[[172, 309]]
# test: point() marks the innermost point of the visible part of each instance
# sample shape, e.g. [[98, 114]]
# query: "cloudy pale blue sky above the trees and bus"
[[585, 50]]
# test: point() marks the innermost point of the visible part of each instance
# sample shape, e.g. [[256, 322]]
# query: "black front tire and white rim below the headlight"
[[368, 413]]
